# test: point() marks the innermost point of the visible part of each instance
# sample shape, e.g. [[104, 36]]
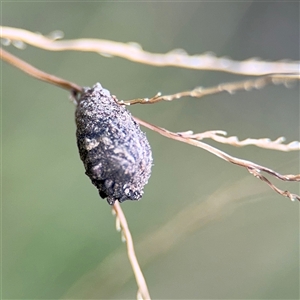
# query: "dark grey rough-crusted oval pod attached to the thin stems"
[[115, 152]]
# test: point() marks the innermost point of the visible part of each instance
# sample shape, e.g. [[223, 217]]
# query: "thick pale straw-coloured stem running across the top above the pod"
[[134, 52]]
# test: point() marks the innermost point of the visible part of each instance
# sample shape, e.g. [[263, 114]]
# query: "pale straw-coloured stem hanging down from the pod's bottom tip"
[[121, 223]]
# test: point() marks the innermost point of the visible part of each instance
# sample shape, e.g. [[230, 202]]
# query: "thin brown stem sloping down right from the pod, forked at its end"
[[251, 167]]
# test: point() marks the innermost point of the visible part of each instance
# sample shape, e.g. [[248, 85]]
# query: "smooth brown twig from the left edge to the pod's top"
[[34, 72]]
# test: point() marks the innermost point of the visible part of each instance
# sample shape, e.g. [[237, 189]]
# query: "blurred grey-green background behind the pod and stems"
[[59, 238]]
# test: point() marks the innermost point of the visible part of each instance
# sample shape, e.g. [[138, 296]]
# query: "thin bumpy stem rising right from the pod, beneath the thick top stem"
[[231, 88]]
